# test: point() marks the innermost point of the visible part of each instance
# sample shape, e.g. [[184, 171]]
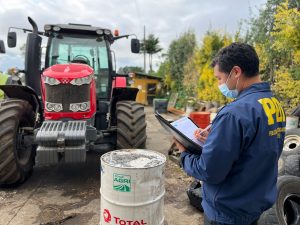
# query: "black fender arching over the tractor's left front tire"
[[24, 93]]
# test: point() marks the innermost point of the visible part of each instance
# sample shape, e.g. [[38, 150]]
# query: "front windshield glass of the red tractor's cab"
[[81, 49]]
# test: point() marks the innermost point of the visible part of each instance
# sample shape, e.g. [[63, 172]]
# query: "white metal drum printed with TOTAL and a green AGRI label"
[[132, 187]]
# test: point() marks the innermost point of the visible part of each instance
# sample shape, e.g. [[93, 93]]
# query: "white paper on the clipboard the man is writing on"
[[187, 127]]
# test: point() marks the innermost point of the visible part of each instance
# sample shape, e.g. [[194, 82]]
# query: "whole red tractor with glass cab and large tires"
[[69, 107]]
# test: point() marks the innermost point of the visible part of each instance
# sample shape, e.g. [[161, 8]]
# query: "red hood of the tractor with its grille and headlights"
[[69, 92]]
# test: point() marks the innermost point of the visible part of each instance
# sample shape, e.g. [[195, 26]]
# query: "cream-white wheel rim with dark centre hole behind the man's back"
[[291, 142]]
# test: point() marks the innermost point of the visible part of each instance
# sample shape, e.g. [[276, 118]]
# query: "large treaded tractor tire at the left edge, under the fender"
[[16, 150]]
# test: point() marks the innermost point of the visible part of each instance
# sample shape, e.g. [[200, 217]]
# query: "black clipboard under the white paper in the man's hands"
[[190, 145]]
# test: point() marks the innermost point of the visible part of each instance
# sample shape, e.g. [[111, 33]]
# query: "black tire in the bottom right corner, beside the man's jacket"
[[286, 210]]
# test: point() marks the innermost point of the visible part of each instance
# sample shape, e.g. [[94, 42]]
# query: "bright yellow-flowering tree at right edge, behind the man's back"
[[286, 36]]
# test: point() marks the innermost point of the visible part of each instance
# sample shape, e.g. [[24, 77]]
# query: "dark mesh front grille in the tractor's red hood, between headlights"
[[67, 94]]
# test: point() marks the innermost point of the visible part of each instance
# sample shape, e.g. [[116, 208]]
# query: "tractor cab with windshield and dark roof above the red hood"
[[84, 44]]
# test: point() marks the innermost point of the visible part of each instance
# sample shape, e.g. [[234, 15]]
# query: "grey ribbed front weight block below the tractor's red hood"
[[61, 141]]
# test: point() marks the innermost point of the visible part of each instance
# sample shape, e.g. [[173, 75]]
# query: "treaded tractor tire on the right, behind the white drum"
[[131, 125]]
